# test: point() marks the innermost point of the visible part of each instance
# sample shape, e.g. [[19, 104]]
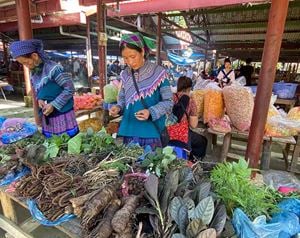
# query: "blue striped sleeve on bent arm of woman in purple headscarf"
[[64, 80]]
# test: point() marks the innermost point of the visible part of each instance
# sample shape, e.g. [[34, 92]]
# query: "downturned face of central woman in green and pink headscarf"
[[133, 58]]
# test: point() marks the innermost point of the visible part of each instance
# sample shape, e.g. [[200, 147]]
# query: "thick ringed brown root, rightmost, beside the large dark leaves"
[[122, 217]]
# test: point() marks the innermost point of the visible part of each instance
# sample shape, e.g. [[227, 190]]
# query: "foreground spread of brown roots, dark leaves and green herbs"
[[123, 191]]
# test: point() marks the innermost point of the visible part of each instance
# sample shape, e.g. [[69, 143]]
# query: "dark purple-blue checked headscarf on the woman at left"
[[24, 47]]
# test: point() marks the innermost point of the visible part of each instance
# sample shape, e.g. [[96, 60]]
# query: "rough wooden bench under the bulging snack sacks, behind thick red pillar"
[[266, 150]]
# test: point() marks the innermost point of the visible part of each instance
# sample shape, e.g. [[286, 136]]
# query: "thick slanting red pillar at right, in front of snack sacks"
[[276, 22]]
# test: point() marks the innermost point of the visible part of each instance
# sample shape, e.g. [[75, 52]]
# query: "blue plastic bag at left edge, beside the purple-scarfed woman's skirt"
[[13, 134]]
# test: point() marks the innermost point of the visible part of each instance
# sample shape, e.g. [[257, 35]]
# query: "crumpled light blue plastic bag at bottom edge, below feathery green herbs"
[[259, 228]]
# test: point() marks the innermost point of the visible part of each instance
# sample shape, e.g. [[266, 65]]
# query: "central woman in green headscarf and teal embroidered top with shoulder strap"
[[144, 112]]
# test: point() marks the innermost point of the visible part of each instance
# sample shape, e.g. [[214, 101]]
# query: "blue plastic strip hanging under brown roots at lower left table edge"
[[39, 216]]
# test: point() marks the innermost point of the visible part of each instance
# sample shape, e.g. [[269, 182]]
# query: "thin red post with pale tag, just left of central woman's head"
[[102, 43]]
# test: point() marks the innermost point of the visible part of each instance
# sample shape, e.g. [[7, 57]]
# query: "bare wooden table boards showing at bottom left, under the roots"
[[9, 220]]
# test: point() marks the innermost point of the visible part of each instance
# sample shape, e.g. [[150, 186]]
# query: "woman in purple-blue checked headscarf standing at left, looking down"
[[53, 88]]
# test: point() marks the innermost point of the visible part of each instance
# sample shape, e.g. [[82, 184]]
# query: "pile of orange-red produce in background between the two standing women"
[[87, 101]]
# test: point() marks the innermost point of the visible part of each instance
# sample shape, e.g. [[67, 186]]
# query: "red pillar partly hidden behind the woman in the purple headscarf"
[[25, 33]]
